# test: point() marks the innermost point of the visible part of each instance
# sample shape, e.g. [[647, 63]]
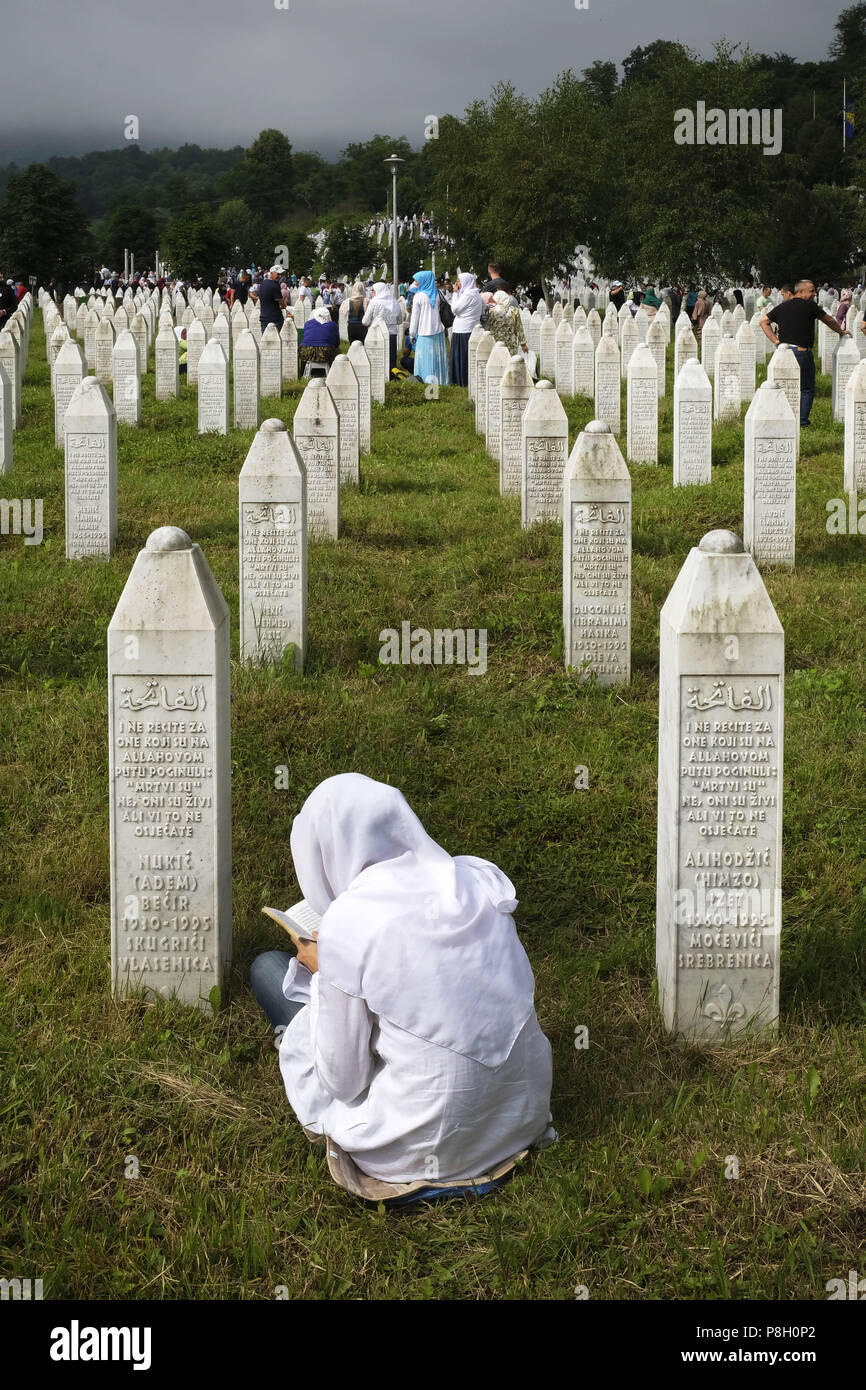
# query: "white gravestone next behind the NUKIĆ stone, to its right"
[[273, 568]]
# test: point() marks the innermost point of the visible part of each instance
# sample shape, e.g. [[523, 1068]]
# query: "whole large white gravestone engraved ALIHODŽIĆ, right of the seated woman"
[[721, 749]]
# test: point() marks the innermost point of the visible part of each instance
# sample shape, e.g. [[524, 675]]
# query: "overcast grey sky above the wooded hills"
[[329, 72]]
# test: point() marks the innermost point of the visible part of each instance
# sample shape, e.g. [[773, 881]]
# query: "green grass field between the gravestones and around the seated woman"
[[231, 1200]]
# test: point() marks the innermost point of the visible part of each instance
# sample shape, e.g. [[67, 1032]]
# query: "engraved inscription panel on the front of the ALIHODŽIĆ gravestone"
[[729, 822]]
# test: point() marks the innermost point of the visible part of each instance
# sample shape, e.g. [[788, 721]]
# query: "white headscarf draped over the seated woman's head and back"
[[426, 940]]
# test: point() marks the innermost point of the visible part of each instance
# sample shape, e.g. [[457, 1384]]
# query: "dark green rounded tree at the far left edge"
[[42, 229]]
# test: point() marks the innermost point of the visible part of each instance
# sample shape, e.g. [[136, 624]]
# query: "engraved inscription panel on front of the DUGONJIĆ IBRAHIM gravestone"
[[600, 579]]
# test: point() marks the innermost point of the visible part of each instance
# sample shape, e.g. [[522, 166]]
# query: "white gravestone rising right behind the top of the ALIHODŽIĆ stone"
[[771, 477]]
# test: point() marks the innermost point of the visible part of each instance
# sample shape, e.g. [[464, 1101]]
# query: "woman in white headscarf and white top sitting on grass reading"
[[419, 1056]]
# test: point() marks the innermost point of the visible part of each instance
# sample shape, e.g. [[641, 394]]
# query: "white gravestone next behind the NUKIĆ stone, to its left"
[[91, 472]]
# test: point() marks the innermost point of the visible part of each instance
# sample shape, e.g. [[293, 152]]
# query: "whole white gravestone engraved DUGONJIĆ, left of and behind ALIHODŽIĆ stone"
[[597, 558]]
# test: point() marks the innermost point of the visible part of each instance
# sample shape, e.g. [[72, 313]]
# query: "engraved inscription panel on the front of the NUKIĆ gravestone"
[[165, 821]]
